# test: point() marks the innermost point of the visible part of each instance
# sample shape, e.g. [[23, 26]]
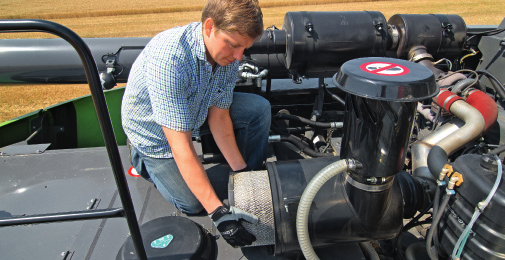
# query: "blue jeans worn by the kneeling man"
[[250, 115]]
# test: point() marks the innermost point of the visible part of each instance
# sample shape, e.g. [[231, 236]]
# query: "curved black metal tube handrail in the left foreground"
[[102, 112]]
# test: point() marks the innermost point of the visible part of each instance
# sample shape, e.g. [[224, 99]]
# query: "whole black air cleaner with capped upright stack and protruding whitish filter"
[[365, 204]]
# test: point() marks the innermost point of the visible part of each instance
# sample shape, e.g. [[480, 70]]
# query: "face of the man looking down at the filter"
[[223, 47]]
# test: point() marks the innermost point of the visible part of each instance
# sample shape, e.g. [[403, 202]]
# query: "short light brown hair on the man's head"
[[242, 16]]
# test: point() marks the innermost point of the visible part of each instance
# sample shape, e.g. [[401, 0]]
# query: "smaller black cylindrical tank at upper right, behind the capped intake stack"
[[442, 34]]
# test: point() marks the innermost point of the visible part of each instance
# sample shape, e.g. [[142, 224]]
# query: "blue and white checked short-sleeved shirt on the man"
[[171, 84]]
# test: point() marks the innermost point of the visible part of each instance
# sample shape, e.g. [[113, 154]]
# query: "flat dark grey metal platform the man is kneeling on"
[[79, 180]]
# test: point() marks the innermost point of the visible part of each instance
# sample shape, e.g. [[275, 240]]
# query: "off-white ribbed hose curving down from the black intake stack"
[[302, 215]]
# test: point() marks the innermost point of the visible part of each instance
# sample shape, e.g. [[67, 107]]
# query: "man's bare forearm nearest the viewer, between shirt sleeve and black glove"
[[192, 169]]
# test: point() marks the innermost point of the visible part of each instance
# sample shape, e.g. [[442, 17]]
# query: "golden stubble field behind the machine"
[[125, 18]]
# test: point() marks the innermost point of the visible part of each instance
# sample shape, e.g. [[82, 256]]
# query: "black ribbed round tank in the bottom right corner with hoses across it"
[[486, 239]]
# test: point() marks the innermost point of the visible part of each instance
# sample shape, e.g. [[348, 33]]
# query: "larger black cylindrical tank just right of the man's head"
[[318, 43]]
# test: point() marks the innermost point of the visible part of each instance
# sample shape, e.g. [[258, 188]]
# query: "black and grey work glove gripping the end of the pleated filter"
[[227, 221]]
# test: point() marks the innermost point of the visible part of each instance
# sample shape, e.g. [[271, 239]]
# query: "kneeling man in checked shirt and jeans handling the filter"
[[181, 86]]
